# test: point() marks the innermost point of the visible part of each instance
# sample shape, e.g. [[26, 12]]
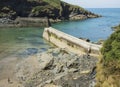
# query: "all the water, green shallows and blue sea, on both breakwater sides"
[[27, 41]]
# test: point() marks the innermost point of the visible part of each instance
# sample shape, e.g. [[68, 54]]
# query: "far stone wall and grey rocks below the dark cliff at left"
[[23, 22]]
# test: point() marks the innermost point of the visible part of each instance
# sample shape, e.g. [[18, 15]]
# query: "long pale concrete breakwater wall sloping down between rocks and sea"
[[69, 42]]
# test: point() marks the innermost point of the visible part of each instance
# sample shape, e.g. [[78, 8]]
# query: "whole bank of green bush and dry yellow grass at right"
[[108, 71]]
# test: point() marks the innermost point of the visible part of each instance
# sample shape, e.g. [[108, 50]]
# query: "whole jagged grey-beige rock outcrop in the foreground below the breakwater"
[[57, 68]]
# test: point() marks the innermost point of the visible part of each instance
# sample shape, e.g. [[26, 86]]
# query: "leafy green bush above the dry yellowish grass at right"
[[111, 48]]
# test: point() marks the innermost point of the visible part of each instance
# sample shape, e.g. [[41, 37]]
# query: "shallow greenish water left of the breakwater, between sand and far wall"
[[21, 42]]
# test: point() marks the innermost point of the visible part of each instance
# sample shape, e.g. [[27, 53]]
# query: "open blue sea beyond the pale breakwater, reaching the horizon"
[[95, 28]]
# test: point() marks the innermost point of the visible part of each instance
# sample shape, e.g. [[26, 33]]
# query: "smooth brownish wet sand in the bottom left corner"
[[7, 68]]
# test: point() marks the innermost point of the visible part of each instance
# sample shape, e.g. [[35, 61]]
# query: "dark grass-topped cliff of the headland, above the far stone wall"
[[54, 9]]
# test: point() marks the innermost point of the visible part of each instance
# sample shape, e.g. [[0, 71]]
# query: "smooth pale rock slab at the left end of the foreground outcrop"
[[32, 65]]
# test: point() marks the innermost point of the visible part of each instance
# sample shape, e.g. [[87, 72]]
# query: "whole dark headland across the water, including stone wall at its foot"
[[22, 13]]
